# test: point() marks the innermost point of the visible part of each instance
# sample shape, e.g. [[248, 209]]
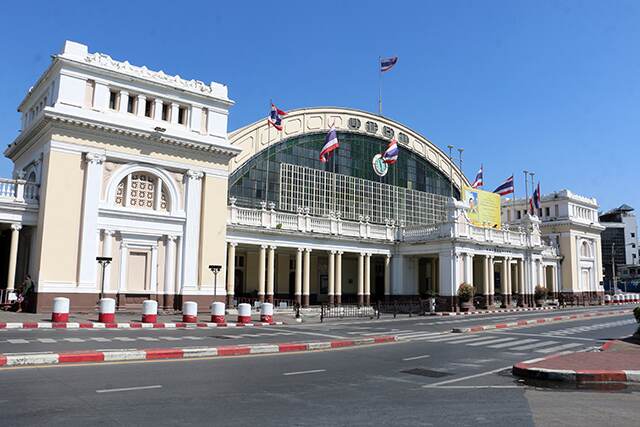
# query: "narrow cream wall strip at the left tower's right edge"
[[213, 229]]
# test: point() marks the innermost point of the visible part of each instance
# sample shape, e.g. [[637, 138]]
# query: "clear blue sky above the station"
[[549, 86]]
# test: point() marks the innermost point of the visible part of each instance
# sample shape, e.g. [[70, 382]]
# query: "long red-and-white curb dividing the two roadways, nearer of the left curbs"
[[30, 359]]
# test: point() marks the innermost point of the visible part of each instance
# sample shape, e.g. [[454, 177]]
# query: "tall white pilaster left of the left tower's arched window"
[[89, 230]]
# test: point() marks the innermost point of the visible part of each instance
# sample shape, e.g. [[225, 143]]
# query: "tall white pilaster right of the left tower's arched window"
[[191, 240]]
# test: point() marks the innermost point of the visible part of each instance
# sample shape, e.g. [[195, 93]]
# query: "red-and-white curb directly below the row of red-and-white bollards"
[[130, 325]]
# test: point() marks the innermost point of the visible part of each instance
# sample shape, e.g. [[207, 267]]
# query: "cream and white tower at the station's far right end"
[[568, 222]]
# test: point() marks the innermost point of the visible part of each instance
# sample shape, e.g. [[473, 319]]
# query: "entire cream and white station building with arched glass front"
[[119, 161]]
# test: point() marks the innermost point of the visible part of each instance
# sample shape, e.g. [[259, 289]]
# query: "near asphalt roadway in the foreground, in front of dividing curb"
[[435, 380]]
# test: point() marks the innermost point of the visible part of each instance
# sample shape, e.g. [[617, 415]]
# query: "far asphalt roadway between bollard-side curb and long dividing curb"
[[416, 328]]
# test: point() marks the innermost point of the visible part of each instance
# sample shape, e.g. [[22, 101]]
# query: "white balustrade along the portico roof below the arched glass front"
[[269, 218]]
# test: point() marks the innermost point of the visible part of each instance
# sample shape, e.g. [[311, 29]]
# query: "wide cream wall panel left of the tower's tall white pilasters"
[[60, 217]]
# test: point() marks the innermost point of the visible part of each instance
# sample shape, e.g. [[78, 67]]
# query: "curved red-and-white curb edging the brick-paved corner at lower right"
[[523, 369]]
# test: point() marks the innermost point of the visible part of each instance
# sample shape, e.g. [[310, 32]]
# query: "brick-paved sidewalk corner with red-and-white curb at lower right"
[[617, 361]]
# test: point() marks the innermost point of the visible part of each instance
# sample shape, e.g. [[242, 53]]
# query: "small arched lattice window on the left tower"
[[141, 190]]
